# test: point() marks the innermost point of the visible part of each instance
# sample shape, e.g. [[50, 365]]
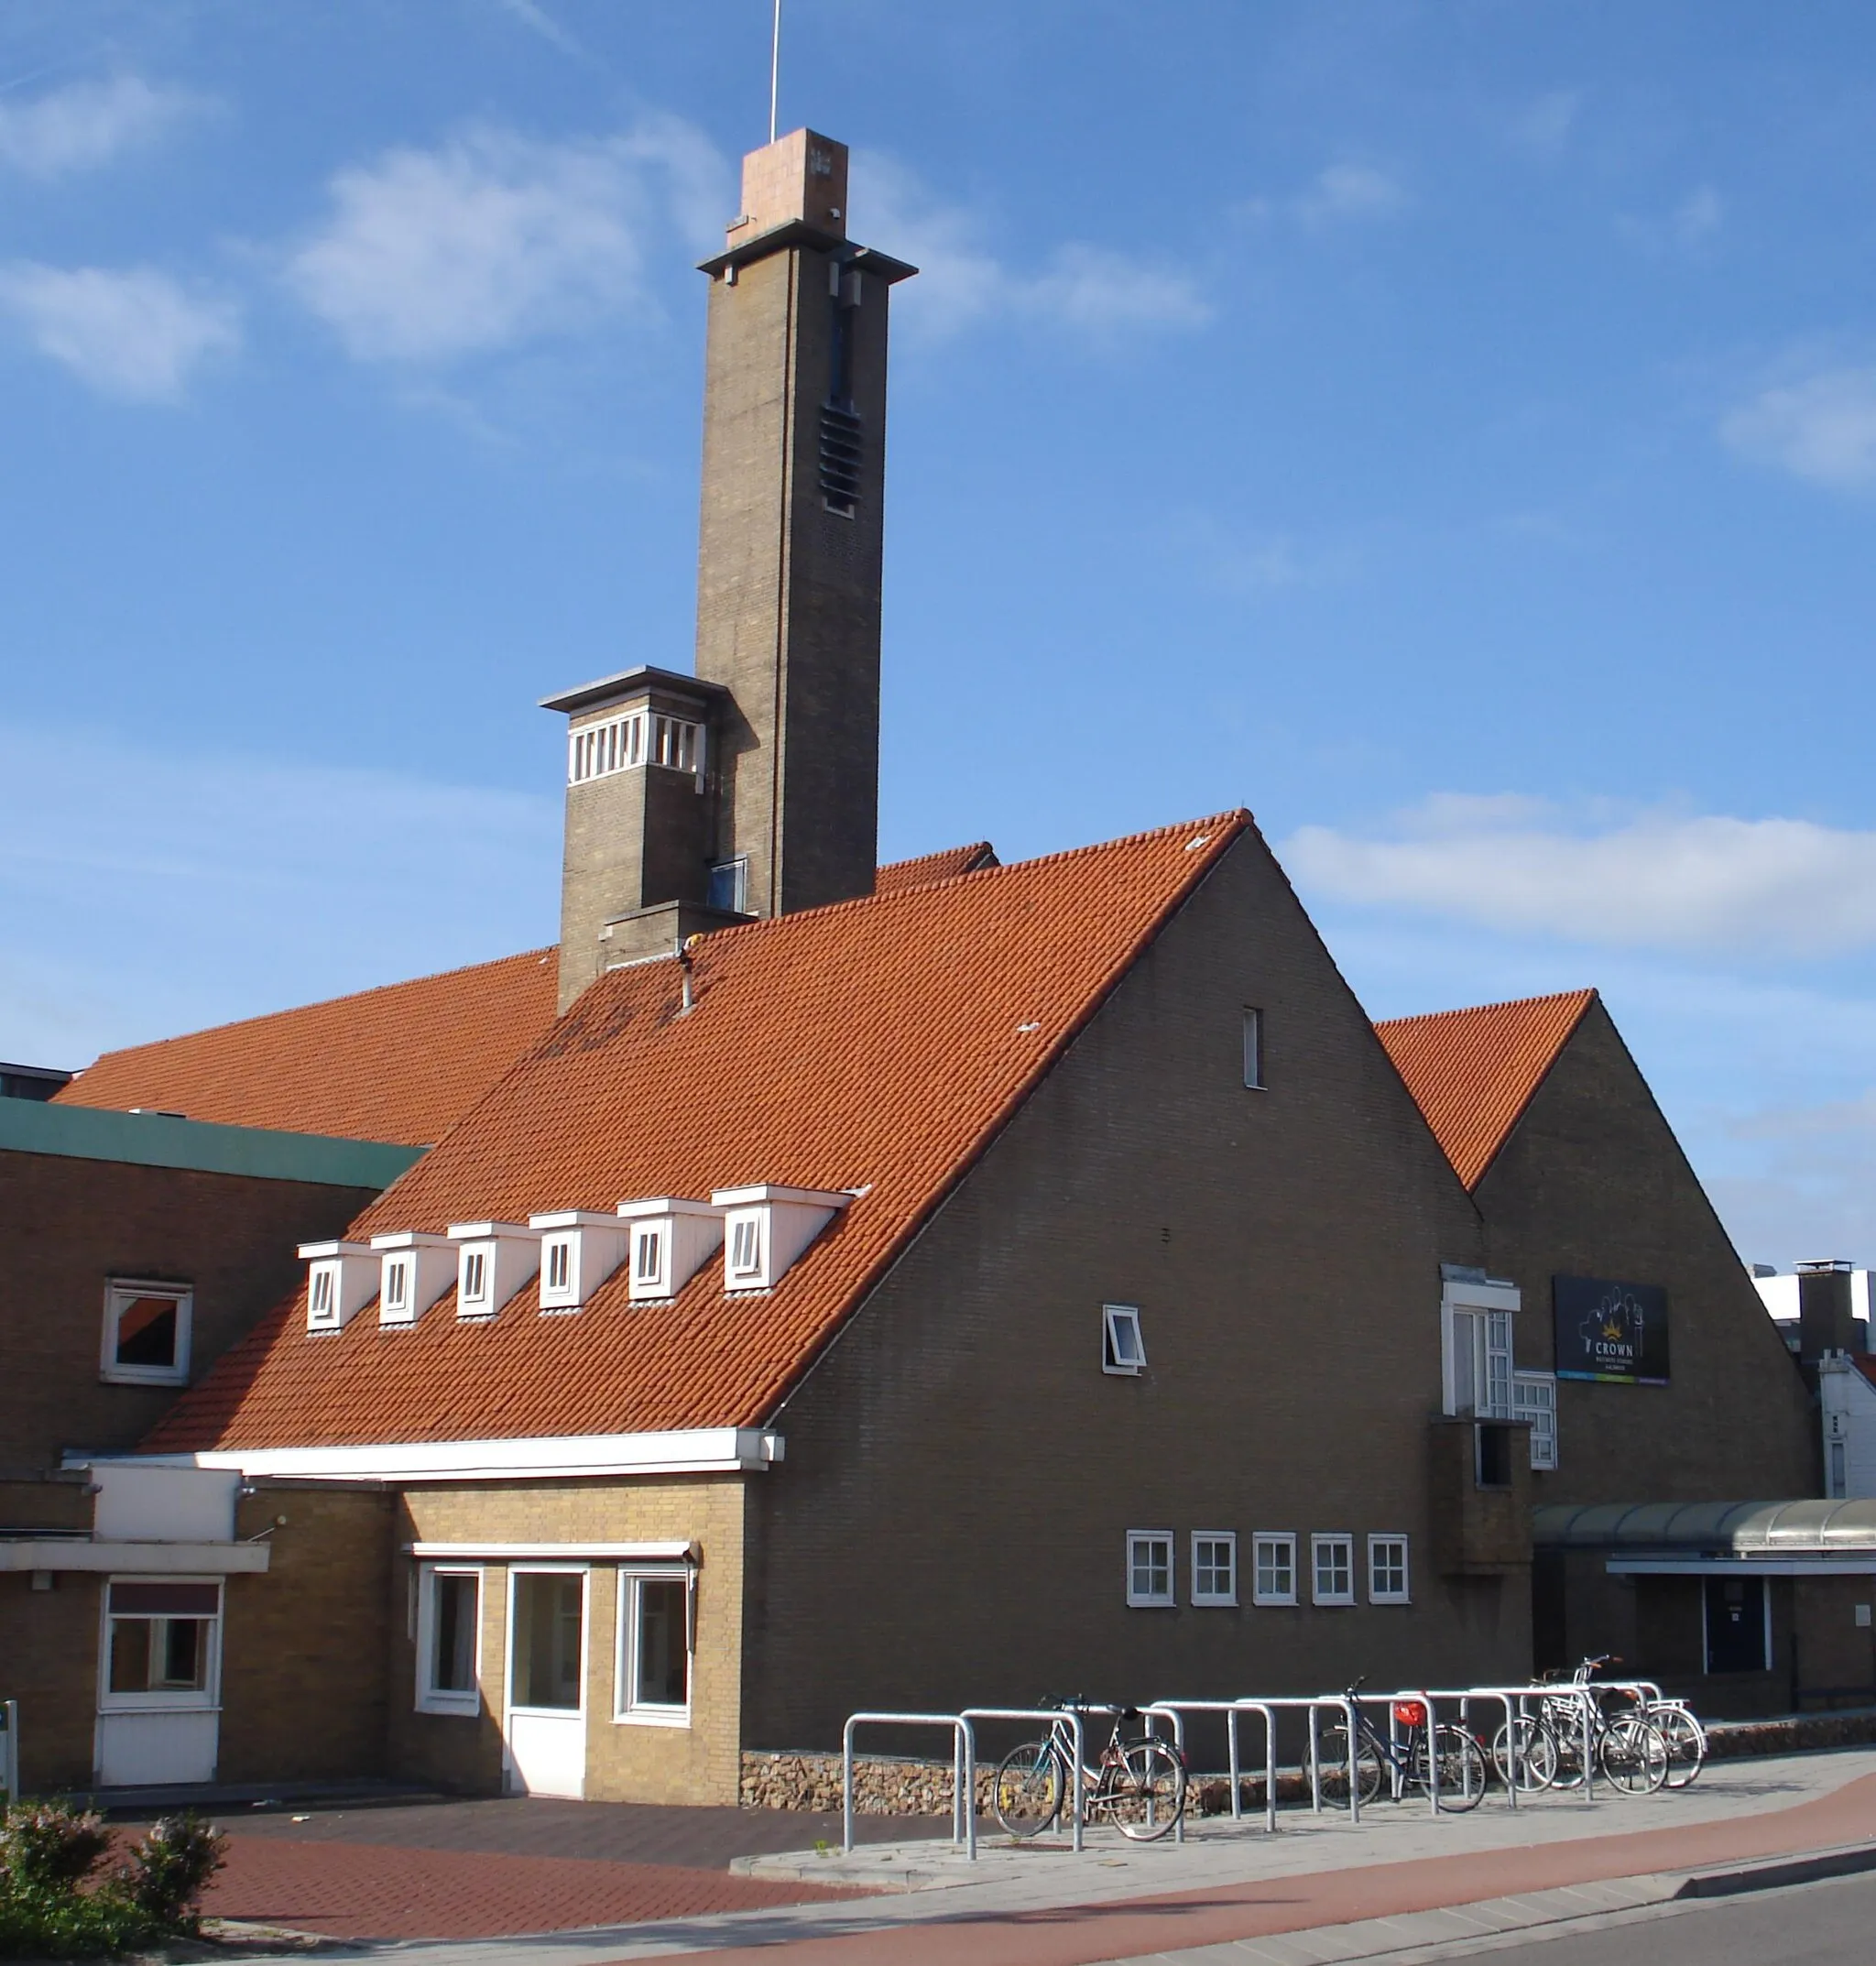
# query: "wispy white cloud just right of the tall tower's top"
[[1092, 292]]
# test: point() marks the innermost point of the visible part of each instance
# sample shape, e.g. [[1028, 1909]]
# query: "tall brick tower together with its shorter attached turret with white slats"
[[754, 787]]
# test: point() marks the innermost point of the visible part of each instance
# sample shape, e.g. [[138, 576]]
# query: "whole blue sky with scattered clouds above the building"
[[1448, 430]]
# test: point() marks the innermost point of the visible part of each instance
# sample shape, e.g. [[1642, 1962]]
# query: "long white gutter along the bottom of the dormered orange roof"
[[571, 1458]]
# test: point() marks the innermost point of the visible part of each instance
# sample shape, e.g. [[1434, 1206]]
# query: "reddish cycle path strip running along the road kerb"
[[1083, 1936]]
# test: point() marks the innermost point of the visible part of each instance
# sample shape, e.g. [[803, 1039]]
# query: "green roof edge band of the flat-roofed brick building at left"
[[160, 1141]]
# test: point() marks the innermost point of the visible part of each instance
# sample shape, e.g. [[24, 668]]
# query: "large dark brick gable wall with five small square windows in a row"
[[961, 1474]]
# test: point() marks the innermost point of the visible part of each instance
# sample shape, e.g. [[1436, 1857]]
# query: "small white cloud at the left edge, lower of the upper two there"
[[131, 333]]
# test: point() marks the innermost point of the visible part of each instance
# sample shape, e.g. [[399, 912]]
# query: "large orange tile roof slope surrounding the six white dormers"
[[876, 1045]]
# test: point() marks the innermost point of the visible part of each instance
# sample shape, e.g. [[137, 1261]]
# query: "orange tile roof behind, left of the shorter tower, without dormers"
[[402, 1063]]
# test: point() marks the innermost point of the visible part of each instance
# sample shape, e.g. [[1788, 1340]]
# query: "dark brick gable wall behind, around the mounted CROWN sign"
[[1594, 1185]]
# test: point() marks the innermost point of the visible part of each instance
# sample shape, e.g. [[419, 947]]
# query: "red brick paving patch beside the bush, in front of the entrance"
[[355, 1890]]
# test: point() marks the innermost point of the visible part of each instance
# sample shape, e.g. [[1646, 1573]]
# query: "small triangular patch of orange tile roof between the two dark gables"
[[1474, 1072]]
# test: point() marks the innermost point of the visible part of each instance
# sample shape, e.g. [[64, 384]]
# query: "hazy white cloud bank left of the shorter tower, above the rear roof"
[[259, 884]]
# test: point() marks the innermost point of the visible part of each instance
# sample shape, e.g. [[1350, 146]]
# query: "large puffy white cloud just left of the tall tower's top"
[[495, 239]]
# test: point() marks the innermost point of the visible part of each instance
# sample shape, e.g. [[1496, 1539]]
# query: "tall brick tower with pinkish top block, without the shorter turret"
[[790, 551]]
